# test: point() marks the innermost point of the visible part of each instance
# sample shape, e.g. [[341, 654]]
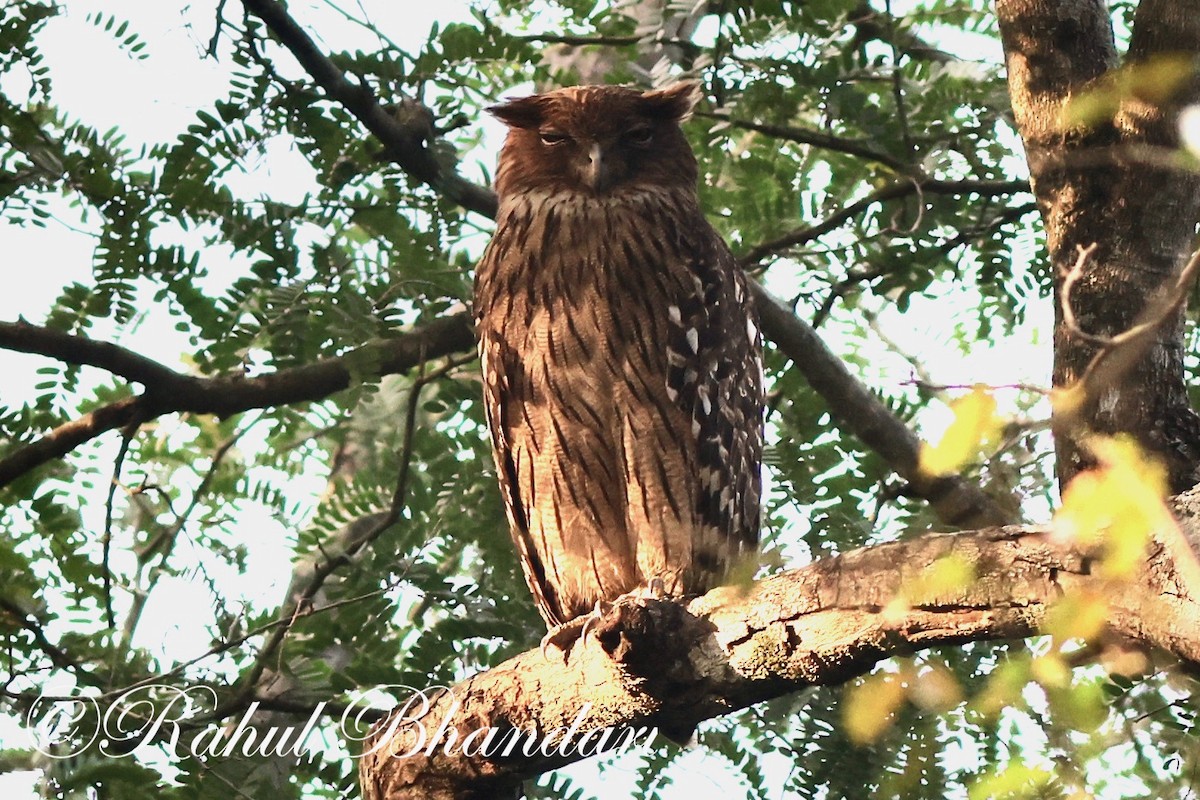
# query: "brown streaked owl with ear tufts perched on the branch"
[[621, 354]]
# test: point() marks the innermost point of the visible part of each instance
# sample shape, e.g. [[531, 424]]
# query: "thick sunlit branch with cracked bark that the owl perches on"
[[657, 665]]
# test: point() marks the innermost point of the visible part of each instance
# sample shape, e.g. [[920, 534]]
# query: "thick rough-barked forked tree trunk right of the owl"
[[1109, 185]]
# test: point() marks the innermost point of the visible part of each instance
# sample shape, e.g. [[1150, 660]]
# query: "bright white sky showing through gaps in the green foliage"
[[155, 99]]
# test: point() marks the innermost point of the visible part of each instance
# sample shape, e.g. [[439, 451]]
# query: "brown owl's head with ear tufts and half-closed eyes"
[[597, 141]]
